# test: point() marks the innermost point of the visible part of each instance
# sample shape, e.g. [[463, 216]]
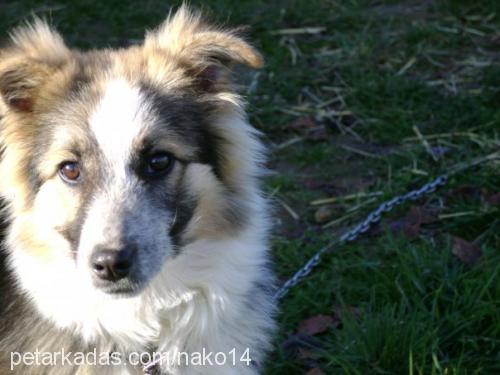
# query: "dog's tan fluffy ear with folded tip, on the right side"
[[209, 52]]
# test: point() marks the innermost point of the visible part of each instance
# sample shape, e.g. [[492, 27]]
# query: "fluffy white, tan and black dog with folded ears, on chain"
[[134, 214]]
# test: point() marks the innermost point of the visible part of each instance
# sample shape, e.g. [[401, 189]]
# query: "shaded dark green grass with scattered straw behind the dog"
[[377, 71]]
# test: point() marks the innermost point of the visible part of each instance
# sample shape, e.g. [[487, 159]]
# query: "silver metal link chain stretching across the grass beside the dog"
[[353, 233]]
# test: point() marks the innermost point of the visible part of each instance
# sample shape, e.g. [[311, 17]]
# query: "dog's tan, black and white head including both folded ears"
[[115, 159]]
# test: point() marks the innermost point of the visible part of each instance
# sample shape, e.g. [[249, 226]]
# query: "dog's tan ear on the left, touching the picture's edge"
[[34, 54]]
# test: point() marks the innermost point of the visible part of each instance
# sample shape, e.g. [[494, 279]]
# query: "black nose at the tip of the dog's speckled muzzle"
[[112, 265]]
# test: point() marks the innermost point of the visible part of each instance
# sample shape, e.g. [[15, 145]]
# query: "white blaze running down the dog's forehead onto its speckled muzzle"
[[117, 123]]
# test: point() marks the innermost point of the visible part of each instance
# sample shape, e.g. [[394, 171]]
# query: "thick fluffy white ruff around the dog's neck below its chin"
[[191, 289]]
